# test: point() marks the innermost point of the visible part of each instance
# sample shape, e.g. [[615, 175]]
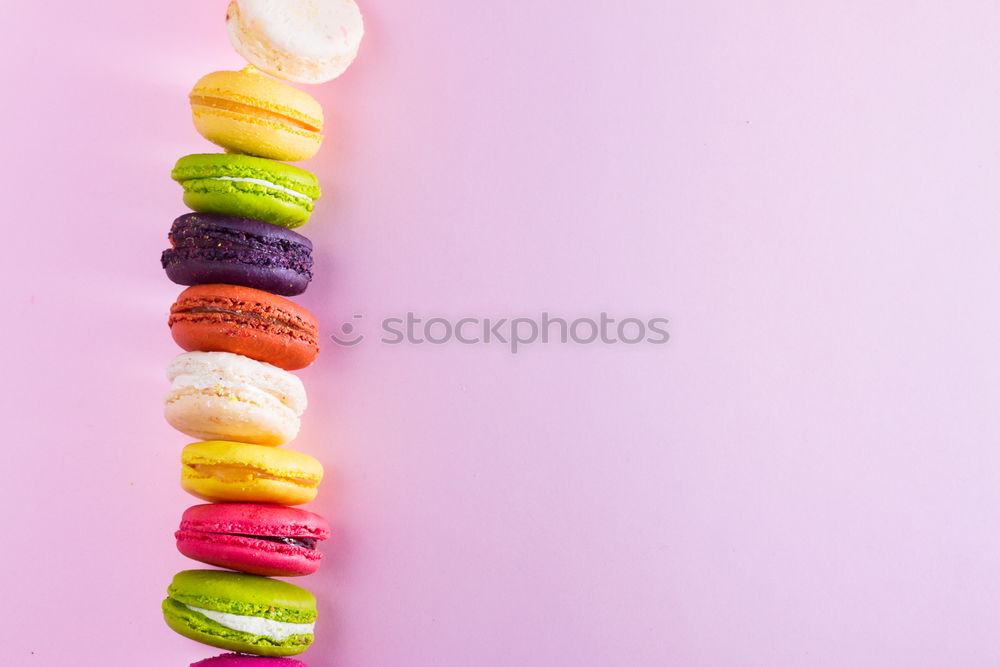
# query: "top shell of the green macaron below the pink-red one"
[[244, 595]]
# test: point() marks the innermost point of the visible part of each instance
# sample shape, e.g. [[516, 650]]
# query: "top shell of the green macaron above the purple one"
[[277, 179]]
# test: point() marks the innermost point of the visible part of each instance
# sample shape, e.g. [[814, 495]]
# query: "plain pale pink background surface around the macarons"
[[807, 474]]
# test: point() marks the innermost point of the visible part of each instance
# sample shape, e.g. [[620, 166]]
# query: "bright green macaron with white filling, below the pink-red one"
[[241, 612]]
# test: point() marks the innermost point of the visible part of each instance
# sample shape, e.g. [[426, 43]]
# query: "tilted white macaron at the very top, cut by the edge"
[[308, 41]]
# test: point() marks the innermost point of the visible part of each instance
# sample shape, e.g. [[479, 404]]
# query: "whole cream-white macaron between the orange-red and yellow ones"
[[220, 395]]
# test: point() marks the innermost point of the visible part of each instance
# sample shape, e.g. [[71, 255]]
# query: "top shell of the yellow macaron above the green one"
[[249, 93]]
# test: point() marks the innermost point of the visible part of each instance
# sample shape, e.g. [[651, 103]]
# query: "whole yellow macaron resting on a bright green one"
[[247, 112]]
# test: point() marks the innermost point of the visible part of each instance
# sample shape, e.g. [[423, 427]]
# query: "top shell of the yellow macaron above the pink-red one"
[[232, 460]]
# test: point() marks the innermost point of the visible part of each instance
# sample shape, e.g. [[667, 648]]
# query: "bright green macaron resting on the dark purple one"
[[247, 187]]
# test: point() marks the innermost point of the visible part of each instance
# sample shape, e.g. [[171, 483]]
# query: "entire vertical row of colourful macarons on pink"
[[231, 388]]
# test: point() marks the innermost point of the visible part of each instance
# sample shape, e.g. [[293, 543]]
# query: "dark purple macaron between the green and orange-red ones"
[[210, 248]]
